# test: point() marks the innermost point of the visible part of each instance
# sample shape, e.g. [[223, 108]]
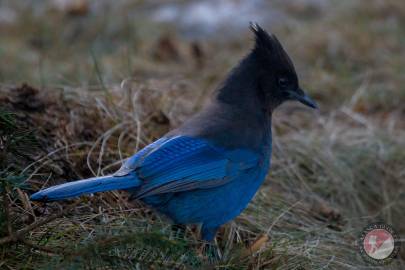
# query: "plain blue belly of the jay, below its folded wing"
[[215, 205]]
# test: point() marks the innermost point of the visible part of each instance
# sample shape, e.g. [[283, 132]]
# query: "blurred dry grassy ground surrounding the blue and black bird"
[[85, 84]]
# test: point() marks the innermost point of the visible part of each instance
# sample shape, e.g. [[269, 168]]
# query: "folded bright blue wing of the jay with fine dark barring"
[[184, 163]]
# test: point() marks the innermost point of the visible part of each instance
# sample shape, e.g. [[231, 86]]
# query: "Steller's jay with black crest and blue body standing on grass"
[[207, 170]]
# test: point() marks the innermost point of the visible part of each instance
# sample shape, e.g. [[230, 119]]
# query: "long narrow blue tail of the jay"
[[86, 186]]
